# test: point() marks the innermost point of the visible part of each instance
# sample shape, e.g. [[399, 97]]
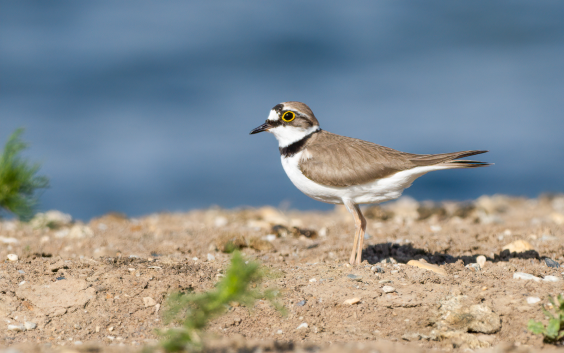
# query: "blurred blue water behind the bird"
[[146, 106]]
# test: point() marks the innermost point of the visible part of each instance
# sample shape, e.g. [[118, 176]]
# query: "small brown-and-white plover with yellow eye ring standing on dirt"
[[343, 170]]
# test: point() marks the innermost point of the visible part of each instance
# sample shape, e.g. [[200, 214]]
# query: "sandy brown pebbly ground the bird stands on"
[[104, 283]]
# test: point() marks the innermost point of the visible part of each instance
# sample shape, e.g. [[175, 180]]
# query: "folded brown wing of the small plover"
[[335, 160]]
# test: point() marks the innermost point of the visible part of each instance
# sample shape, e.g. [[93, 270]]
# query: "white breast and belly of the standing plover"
[[380, 190]]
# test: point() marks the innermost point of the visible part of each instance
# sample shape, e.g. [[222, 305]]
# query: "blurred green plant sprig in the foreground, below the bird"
[[196, 310]]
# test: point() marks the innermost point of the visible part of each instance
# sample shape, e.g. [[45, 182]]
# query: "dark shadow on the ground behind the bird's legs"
[[403, 253]]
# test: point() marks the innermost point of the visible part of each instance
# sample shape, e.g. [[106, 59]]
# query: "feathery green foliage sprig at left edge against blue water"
[[18, 179]]
